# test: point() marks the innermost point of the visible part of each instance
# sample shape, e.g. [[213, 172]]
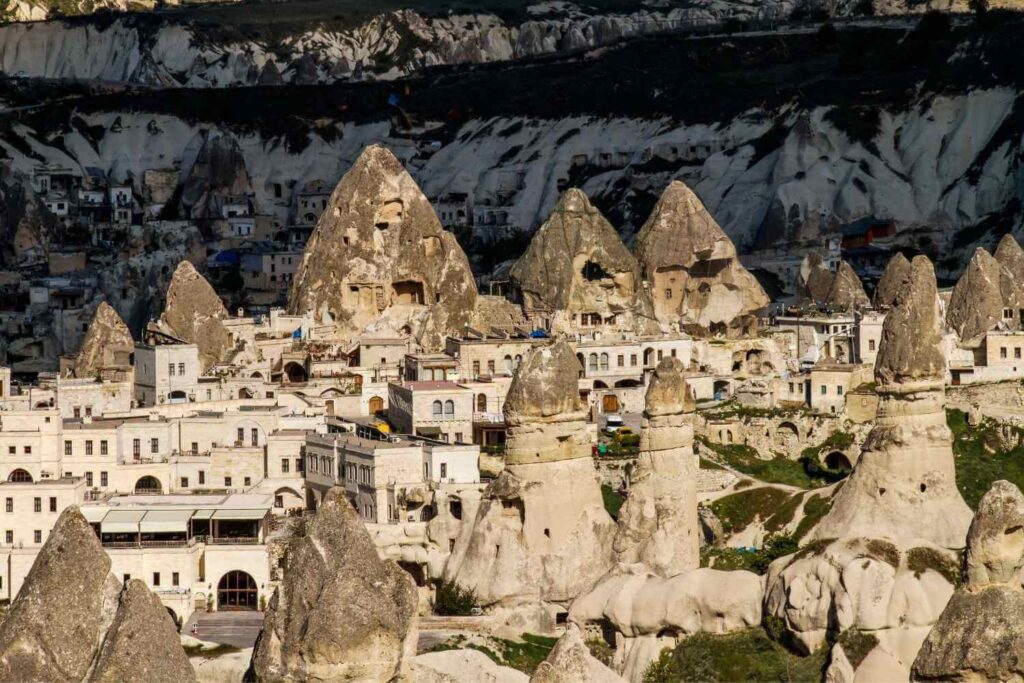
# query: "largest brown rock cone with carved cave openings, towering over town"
[[380, 258]]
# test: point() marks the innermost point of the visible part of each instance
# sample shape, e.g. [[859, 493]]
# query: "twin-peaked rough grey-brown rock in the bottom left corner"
[[74, 621]]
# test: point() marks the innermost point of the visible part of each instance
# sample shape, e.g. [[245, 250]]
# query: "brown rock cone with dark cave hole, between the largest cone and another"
[[576, 265]]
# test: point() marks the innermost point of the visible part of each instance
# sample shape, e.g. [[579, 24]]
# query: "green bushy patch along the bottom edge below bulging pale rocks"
[[745, 656]]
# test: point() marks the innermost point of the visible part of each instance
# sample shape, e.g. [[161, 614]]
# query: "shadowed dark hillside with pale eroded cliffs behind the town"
[[784, 137]]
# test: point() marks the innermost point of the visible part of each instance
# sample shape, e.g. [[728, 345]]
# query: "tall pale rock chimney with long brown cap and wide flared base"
[[905, 484]]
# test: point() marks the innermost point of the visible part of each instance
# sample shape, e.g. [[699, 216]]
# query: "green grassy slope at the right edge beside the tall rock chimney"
[[980, 459]]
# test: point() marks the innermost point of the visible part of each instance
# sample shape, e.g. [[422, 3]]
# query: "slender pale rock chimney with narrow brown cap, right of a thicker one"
[[658, 525]]
